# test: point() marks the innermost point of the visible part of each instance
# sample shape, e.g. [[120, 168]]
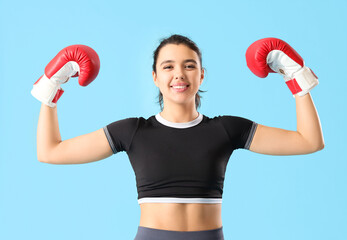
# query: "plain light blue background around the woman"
[[265, 197]]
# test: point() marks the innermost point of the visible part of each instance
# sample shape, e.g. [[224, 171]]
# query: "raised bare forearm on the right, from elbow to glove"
[[308, 123]]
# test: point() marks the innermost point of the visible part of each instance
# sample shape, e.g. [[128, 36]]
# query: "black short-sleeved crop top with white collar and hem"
[[180, 162]]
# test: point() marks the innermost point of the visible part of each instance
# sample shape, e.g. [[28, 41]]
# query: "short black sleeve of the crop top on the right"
[[240, 130]]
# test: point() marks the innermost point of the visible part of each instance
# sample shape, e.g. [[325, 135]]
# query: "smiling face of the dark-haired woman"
[[177, 64]]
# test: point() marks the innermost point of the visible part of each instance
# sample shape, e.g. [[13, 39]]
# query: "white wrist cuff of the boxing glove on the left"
[[45, 90]]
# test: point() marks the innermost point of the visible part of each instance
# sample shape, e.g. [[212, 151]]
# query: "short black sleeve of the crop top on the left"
[[120, 133]]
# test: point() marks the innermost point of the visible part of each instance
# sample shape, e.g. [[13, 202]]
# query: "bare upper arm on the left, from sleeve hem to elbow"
[[86, 148]]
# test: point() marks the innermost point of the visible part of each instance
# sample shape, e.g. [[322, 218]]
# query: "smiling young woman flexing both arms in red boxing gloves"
[[179, 155]]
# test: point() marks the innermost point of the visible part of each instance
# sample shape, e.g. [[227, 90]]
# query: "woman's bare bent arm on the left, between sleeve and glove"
[[86, 148]]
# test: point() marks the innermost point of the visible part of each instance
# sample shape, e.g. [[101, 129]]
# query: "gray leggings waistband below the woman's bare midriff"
[[144, 233]]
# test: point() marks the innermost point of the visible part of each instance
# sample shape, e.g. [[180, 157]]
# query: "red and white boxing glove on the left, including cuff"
[[74, 61]]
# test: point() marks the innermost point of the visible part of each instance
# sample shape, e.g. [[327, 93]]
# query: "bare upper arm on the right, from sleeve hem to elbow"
[[277, 141]]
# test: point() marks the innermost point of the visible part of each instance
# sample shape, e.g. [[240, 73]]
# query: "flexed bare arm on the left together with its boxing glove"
[[74, 61]]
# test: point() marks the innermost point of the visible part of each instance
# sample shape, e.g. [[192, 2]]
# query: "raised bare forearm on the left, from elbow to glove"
[[48, 135]]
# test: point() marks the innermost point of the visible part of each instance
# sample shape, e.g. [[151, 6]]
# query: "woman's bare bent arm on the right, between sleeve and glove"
[[308, 137]]
